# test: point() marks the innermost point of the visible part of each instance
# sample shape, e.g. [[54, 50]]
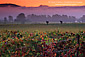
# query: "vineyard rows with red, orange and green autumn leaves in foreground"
[[41, 44]]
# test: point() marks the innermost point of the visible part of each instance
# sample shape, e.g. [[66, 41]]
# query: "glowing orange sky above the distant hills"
[[35, 3]]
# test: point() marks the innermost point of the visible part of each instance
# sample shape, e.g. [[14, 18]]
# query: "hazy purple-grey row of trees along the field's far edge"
[[21, 18]]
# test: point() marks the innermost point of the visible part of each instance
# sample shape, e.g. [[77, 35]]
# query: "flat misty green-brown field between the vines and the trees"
[[72, 27]]
